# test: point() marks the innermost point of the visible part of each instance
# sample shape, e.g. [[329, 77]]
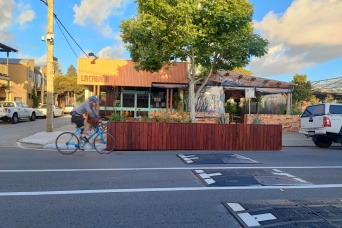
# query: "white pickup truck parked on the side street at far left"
[[16, 110]]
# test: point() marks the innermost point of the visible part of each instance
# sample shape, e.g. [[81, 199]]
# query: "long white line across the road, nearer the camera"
[[138, 190]]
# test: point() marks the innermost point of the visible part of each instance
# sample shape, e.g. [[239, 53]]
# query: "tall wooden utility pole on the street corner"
[[50, 68]]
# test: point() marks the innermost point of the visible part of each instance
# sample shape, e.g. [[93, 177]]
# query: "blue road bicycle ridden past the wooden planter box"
[[68, 142]]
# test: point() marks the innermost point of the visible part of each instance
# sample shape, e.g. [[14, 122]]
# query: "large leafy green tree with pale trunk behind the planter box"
[[209, 34]]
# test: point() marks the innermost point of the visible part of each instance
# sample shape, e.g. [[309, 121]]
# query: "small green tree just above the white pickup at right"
[[302, 91]]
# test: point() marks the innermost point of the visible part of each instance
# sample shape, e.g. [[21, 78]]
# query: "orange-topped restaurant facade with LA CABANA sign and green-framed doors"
[[121, 88]]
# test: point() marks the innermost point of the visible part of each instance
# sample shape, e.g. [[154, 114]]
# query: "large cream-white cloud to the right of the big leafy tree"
[[307, 34]]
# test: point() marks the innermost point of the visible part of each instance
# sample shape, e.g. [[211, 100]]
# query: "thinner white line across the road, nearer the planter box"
[[162, 168]]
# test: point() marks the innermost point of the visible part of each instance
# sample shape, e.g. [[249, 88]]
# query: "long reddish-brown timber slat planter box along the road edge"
[[195, 136]]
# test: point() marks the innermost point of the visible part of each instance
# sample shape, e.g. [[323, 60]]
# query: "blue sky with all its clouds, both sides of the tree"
[[305, 36]]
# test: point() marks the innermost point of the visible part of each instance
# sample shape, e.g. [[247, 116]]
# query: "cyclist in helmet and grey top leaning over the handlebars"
[[78, 118]]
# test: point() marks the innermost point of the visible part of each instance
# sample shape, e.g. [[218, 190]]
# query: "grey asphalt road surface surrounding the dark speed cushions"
[[42, 188]]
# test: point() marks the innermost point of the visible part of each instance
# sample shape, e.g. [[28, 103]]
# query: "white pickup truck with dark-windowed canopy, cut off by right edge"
[[322, 122]]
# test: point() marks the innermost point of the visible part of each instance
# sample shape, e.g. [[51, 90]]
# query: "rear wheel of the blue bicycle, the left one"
[[67, 143]]
